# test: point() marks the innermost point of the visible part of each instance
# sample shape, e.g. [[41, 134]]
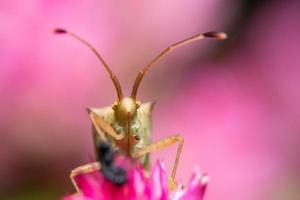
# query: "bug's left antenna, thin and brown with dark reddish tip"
[[112, 76]]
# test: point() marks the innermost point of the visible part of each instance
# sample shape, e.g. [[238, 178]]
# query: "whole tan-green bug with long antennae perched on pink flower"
[[126, 124]]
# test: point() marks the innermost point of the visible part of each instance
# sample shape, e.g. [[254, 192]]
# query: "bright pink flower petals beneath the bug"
[[94, 186]]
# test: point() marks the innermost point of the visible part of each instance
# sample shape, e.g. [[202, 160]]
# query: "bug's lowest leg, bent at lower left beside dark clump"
[[83, 169]]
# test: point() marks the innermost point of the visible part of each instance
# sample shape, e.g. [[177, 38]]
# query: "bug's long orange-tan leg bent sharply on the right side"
[[163, 144]]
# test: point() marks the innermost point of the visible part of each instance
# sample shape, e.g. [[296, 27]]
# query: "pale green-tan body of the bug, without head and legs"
[[140, 124]]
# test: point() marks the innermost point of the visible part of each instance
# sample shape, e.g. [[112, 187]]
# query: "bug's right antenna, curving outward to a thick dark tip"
[[141, 74]]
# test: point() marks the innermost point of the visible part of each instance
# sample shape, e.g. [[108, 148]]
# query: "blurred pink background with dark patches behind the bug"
[[237, 102]]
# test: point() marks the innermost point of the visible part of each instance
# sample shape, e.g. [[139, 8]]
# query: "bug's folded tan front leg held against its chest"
[[102, 126]]
